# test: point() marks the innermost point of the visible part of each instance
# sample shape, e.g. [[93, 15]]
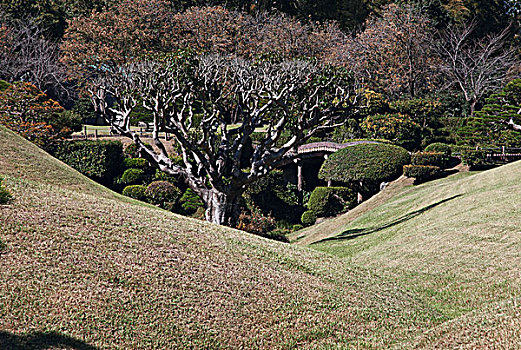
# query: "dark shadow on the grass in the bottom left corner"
[[41, 341]]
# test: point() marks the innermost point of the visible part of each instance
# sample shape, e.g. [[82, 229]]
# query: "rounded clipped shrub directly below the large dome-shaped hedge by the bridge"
[[329, 201]]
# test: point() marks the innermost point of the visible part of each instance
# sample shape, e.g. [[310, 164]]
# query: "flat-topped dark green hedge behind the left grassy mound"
[[99, 160]]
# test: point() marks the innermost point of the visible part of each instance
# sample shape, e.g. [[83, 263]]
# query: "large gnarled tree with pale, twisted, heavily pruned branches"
[[196, 98]]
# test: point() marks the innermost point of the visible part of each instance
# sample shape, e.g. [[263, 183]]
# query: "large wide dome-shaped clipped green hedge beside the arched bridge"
[[371, 161]]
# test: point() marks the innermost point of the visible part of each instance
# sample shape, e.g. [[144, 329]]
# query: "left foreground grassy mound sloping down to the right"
[[84, 267]]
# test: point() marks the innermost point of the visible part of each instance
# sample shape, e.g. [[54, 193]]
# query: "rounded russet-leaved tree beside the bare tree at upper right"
[[394, 53]]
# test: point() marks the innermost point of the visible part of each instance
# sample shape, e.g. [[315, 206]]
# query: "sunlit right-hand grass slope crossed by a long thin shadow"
[[456, 242]]
